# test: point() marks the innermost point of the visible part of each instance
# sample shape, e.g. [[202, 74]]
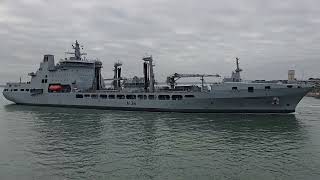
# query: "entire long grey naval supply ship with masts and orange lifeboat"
[[76, 81]]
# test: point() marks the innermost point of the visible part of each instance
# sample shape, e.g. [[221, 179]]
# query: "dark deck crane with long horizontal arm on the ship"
[[172, 80]]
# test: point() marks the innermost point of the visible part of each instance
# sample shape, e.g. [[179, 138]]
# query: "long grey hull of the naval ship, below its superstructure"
[[281, 100]]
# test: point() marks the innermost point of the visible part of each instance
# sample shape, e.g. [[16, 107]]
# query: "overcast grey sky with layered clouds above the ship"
[[186, 36]]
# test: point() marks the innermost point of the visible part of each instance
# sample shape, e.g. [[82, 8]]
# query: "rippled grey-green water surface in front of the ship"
[[66, 143]]
